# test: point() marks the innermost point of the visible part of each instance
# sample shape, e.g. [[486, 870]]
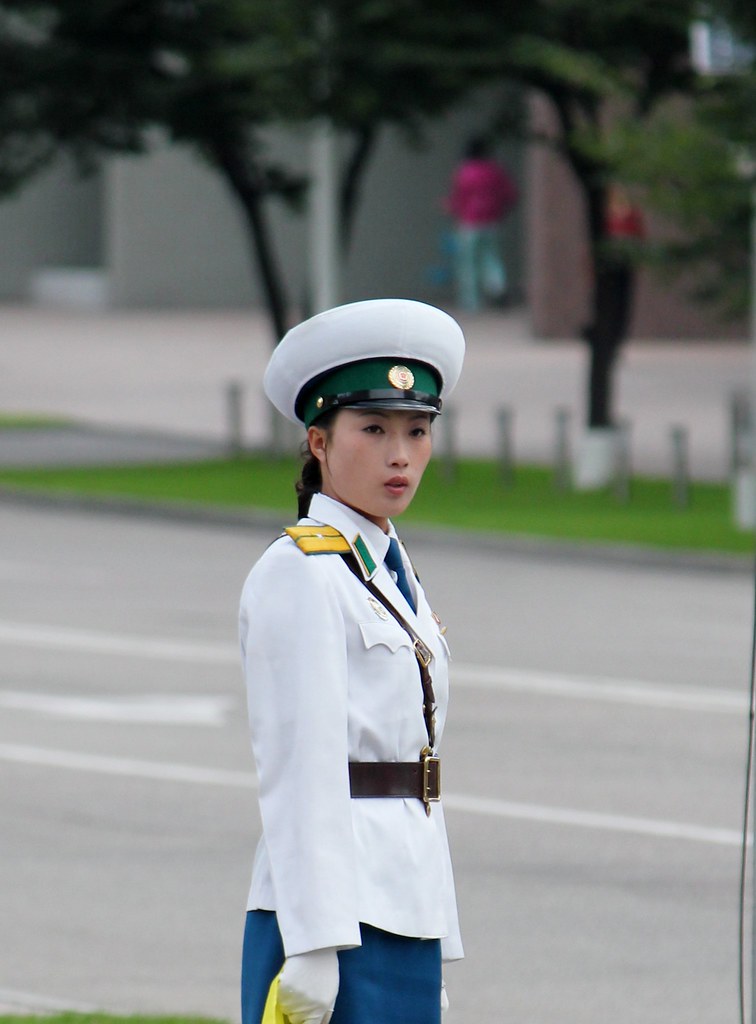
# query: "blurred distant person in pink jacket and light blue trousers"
[[481, 197]]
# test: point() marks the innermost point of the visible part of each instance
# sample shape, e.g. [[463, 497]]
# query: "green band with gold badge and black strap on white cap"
[[394, 379]]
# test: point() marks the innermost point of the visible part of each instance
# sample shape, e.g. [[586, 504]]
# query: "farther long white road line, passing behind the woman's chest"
[[481, 677]]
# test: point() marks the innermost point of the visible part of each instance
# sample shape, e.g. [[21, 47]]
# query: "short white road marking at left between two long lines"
[[165, 709]]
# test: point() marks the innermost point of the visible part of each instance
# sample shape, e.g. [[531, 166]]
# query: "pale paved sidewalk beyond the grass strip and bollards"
[[153, 387]]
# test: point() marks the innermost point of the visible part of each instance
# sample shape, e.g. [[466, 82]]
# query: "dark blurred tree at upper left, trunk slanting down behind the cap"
[[214, 73]]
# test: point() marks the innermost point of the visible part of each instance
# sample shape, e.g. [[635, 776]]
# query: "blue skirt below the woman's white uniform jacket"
[[391, 979]]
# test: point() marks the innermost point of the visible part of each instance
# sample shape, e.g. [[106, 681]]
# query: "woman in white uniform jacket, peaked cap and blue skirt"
[[348, 684]]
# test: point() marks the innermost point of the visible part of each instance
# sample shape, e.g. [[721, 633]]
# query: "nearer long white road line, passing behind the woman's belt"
[[165, 772]]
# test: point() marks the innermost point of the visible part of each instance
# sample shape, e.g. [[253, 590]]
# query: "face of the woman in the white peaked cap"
[[373, 460]]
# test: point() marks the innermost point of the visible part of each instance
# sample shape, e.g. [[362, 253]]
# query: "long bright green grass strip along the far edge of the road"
[[476, 499]]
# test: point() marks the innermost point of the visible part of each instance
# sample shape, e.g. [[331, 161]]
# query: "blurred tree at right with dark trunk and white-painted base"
[[611, 73]]
